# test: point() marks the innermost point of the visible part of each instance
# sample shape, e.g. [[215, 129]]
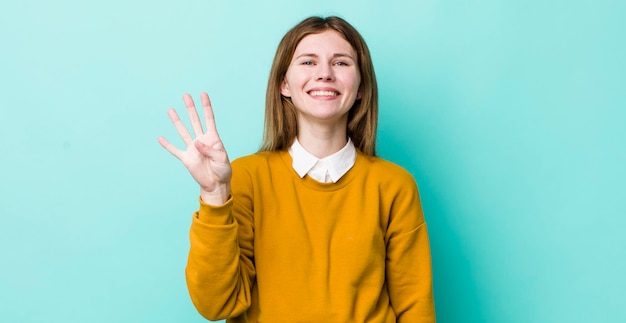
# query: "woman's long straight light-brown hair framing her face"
[[281, 126]]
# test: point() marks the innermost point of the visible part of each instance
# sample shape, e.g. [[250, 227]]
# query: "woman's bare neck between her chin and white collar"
[[322, 140]]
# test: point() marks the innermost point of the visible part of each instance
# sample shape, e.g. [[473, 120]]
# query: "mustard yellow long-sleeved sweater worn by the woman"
[[290, 249]]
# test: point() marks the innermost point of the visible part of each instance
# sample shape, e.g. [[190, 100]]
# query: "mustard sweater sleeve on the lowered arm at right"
[[408, 264]]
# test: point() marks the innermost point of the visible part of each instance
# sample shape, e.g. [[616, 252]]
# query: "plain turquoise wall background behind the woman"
[[510, 115]]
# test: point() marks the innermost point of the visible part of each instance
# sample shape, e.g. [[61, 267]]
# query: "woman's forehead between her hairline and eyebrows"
[[328, 41]]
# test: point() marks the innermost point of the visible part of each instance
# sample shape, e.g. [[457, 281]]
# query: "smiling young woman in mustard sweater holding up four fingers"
[[314, 227]]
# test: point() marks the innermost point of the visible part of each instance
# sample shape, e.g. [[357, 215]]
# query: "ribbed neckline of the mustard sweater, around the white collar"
[[309, 182]]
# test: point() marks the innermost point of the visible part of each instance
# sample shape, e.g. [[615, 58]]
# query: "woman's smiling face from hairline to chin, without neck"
[[323, 79]]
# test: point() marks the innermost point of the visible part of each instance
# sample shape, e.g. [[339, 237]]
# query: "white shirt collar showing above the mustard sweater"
[[325, 170]]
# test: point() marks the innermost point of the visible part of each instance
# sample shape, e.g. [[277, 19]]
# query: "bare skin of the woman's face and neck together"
[[322, 63]]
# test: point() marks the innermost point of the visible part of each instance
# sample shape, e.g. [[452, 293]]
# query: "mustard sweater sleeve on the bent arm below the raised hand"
[[220, 267]]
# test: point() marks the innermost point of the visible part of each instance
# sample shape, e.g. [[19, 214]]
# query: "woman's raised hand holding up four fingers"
[[205, 156]]
